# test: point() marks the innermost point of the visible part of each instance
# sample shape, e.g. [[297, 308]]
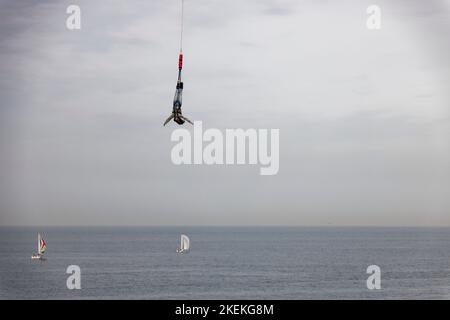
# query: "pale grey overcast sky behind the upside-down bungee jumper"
[[363, 114]]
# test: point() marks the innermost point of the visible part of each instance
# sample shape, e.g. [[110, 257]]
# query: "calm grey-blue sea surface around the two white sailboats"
[[227, 263]]
